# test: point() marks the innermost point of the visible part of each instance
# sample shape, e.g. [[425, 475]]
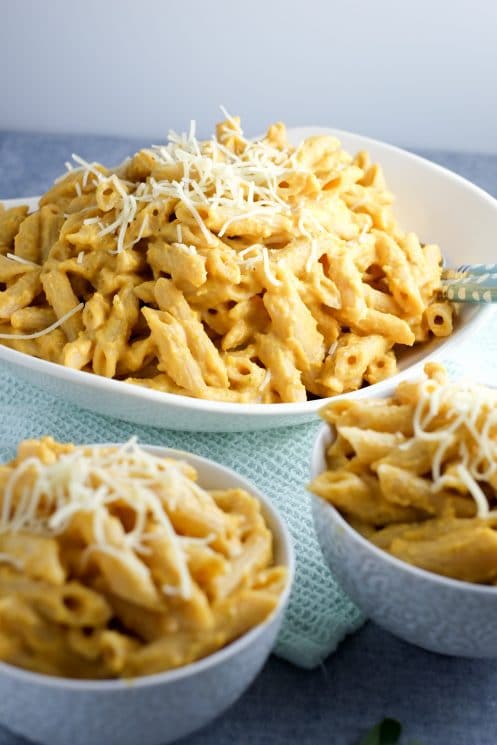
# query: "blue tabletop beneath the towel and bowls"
[[439, 700]]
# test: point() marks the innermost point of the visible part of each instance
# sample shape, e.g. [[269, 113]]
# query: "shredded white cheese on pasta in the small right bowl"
[[461, 419]]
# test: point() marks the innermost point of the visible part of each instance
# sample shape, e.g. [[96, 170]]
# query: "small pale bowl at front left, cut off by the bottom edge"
[[154, 709]]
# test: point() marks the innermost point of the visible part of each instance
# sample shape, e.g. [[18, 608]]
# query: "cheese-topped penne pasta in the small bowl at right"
[[416, 473]]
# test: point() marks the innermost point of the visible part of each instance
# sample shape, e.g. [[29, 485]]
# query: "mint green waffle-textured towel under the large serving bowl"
[[277, 461]]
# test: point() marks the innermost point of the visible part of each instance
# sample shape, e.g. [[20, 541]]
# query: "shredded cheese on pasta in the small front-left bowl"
[[89, 480]]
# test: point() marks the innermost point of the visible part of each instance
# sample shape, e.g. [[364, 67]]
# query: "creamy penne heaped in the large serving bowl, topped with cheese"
[[169, 270]]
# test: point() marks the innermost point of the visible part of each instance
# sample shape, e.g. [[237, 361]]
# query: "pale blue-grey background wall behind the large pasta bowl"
[[420, 73]]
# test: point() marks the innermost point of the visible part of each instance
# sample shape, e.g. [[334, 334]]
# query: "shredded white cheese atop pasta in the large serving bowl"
[[211, 175]]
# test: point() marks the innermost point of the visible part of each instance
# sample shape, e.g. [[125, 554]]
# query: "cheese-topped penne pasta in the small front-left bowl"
[[115, 562]]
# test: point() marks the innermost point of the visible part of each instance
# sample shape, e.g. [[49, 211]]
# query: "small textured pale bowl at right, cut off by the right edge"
[[437, 613]]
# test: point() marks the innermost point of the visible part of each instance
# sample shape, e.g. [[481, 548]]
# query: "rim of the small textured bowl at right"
[[379, 553]]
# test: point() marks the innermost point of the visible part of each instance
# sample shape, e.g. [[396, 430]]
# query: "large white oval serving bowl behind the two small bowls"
[[436, 204]]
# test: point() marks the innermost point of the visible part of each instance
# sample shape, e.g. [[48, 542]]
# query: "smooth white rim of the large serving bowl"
[[259, 409]]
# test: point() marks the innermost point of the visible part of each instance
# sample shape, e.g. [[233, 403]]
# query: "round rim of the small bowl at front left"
[[218, 657]]
